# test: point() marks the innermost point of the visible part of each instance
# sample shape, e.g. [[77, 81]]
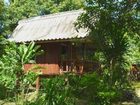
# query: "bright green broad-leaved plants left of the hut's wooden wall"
[[12, 74]]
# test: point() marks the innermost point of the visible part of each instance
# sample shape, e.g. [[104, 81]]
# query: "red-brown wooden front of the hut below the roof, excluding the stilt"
[[62, 56]]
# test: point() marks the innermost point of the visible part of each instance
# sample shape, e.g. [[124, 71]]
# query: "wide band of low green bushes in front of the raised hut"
[[71, 89]]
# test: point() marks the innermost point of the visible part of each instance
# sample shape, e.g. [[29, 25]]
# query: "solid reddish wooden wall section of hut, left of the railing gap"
[[50, 59]]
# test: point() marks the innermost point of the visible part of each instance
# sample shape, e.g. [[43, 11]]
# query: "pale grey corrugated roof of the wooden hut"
[[59, 26]]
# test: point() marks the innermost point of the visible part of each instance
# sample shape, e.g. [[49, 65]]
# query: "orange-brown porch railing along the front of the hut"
[[76, 66]]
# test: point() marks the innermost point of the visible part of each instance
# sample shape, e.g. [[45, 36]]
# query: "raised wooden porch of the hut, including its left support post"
[[63, 57]]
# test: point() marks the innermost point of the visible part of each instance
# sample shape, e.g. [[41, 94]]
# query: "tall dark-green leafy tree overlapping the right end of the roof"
[[110, 23]]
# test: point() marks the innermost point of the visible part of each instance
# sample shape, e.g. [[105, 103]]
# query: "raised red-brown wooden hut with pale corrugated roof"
[[65, 48]]
